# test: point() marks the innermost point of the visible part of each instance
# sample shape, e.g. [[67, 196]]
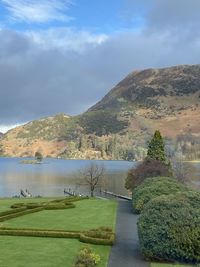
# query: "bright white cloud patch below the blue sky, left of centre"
[[66, 39]]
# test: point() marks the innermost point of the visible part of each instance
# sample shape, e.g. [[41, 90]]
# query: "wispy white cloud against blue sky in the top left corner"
[[42, 11]]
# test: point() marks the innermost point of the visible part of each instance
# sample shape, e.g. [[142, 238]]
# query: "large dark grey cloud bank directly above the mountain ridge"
[[35, 82]]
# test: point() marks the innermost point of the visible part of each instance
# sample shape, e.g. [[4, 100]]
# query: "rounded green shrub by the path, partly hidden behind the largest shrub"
[[154, 187]]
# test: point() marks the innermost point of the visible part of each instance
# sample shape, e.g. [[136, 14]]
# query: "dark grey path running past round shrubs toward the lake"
[[125, 253]]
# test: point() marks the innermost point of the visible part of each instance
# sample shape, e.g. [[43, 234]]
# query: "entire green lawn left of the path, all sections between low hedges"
[[34, 251]]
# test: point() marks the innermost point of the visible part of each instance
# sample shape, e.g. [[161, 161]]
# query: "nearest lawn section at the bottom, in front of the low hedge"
[[43, 252]]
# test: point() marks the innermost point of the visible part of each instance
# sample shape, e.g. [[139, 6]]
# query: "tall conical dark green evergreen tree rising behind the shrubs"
[[156, 148]]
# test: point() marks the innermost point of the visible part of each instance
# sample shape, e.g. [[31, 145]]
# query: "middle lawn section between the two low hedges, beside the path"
[[88, 214]]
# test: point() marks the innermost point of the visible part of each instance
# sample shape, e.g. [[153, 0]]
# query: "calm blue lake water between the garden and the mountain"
[[51, 177]]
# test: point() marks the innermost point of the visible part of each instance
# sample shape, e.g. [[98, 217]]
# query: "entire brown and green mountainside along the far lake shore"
[[120, 125]]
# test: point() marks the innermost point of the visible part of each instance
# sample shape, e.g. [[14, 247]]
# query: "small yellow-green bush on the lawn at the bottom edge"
[[87, 258]]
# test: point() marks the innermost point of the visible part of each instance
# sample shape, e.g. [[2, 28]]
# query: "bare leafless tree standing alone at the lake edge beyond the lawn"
[[92, 176]]
